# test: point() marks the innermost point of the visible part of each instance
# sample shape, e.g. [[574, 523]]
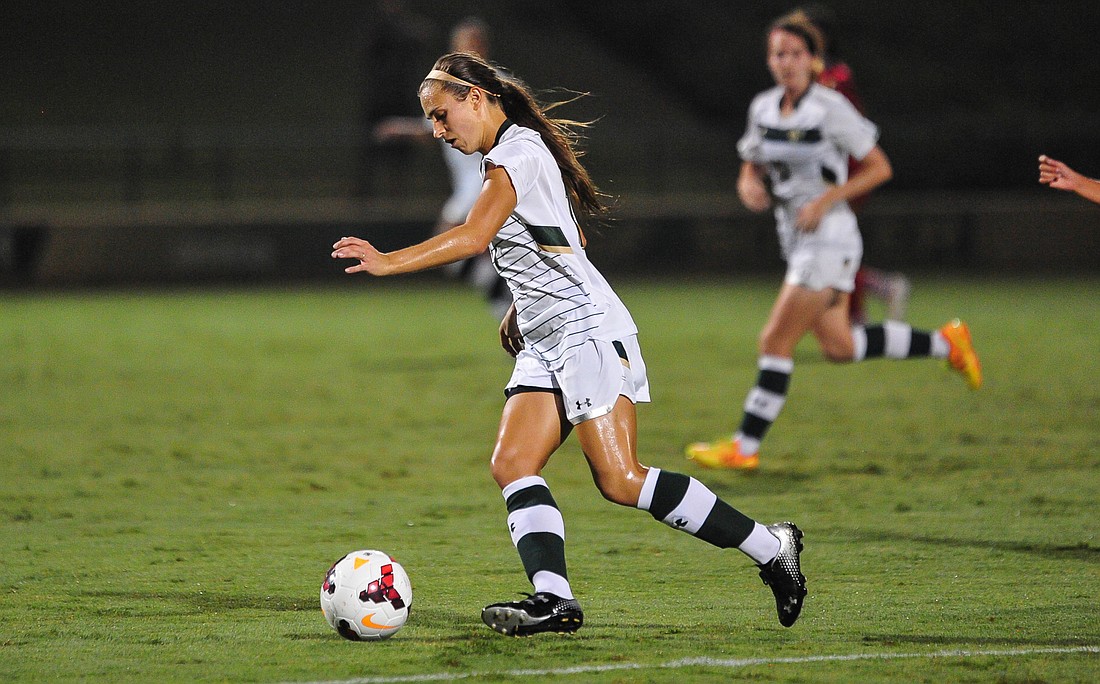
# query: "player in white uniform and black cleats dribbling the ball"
[[578, 361]]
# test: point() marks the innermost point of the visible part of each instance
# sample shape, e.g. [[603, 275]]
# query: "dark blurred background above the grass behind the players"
[[206, 116]]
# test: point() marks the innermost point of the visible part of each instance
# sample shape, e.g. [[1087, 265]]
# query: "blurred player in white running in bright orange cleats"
[[799, 138]]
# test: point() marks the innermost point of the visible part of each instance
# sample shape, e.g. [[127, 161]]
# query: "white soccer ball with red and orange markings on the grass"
[[367, 597]]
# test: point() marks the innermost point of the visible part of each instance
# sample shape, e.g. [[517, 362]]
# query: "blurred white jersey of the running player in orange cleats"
[[805, 152]]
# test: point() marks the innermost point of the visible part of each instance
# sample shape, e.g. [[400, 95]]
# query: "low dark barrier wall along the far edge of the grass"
[[658, 237]]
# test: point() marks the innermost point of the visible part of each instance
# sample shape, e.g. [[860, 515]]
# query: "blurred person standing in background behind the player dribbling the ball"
[[470, 36]]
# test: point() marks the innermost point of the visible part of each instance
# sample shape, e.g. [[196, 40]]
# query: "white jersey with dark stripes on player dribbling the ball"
[[562, 300]]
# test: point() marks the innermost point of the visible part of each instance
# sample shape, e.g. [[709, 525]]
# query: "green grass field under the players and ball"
[[181, 468]]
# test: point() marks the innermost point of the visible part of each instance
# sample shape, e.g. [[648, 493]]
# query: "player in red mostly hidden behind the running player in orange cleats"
[[892, 289]]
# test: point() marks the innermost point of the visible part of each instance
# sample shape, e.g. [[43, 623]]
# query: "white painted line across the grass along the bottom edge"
[[709, 663]]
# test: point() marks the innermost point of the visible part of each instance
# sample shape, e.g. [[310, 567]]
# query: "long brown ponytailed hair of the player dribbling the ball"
[[520, 105]]
